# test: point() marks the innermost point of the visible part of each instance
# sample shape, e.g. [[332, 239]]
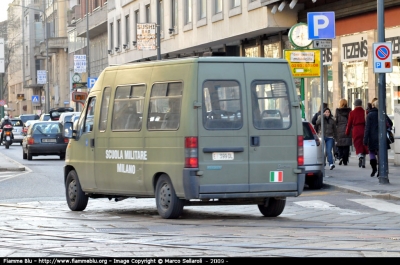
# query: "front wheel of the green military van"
[[77, 200]]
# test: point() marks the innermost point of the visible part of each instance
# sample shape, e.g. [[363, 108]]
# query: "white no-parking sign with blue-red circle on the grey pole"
[[382, 52]]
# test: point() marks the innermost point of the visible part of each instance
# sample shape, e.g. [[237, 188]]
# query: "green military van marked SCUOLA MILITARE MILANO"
[[192, 131]]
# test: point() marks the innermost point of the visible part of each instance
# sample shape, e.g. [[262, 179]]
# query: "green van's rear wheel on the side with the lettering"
[[169, 206]]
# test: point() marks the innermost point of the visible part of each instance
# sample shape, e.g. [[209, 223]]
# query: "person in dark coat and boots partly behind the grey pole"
[[371, 135]]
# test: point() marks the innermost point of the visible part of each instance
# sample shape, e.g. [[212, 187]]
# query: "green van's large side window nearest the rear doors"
[[165, 106]]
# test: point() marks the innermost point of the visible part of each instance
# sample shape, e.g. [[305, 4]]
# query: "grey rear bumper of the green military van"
[[193, 190]]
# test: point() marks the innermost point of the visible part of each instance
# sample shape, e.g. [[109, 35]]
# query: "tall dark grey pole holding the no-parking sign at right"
[[383, 157]]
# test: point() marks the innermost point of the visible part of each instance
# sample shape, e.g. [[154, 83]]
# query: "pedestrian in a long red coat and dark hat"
[[356, 127]]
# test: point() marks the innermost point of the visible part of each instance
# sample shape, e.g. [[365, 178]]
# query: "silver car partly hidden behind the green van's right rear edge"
[[313, 159]]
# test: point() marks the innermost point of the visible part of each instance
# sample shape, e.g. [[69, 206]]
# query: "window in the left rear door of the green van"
[[222, 108]]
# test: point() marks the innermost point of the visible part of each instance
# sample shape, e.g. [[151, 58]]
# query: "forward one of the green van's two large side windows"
[[128, 108]]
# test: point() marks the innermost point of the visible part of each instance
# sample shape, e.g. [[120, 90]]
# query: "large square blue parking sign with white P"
[[321, 25]]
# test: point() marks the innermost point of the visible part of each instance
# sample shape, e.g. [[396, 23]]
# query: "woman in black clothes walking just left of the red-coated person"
[[343, 141]]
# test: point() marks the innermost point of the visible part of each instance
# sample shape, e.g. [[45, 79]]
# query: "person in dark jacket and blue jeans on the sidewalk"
[[329, 133]]
